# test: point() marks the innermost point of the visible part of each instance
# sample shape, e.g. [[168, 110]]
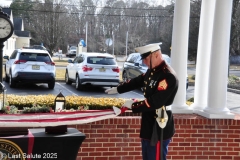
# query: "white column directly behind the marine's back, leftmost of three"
[[179, 53]]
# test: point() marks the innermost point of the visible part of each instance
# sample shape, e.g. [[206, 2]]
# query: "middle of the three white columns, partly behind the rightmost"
[[203, 55]]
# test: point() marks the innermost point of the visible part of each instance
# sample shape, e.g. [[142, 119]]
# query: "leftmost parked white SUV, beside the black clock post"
[[30, 65]]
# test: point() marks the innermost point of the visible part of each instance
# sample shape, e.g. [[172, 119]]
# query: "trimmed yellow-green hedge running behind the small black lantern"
[[72, 102]]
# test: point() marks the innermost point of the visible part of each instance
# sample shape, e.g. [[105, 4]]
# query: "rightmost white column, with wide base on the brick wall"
[[217, 89]]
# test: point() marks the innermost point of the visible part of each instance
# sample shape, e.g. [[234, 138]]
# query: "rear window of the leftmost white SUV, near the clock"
[[40, 57]]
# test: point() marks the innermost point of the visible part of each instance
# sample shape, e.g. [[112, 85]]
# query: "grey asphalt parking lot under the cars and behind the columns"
[[233, 100]]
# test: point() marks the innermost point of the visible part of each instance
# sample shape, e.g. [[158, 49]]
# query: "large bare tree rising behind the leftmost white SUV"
[[48, 24]]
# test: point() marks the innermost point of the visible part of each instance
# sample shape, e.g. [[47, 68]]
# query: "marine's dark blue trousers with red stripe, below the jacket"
[[149, 152]]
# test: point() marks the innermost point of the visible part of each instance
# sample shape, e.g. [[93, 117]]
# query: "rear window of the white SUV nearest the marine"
[[101, 60]]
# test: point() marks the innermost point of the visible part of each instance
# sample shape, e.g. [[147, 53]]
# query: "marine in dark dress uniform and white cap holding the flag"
[[160, 85]]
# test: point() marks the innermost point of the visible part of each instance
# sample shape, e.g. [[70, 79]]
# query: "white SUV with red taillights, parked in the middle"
[[98, 69]]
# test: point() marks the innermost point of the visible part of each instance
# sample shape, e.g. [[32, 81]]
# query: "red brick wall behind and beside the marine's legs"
[[196, 138]]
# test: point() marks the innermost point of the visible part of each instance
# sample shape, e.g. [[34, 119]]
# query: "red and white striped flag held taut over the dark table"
[[57, 118]]
